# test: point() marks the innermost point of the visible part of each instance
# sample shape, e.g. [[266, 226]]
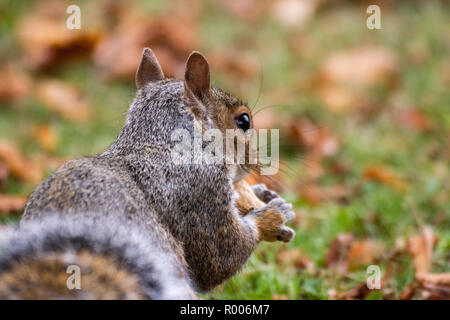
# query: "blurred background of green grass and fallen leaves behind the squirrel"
[[364, 118]]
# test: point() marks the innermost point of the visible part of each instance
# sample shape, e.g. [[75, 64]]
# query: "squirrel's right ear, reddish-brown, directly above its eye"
[[196, 75]]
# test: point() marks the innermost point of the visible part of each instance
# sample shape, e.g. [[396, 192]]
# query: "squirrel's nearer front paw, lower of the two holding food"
[[271, 220]]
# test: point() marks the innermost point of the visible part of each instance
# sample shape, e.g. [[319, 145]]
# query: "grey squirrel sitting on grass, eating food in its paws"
[[183, 218]]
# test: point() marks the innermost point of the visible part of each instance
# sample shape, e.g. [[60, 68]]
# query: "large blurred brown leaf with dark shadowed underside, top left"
[[46, 39]]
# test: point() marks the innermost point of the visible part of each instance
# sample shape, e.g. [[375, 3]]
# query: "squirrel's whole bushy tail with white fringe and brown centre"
[[76, 258]]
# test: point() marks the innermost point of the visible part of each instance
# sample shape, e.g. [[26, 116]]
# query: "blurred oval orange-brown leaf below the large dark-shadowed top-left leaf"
[[64, 99]]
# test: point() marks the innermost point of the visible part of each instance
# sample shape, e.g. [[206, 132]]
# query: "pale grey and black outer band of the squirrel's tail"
[[159, 271]]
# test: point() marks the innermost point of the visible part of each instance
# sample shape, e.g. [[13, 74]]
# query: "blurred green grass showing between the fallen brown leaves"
[[377, 211]]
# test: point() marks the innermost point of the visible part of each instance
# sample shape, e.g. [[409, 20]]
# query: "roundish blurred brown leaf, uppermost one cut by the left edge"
[[15, 84]]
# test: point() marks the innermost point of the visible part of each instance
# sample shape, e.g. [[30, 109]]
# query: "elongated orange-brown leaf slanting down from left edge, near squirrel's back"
[[19, 166]]
